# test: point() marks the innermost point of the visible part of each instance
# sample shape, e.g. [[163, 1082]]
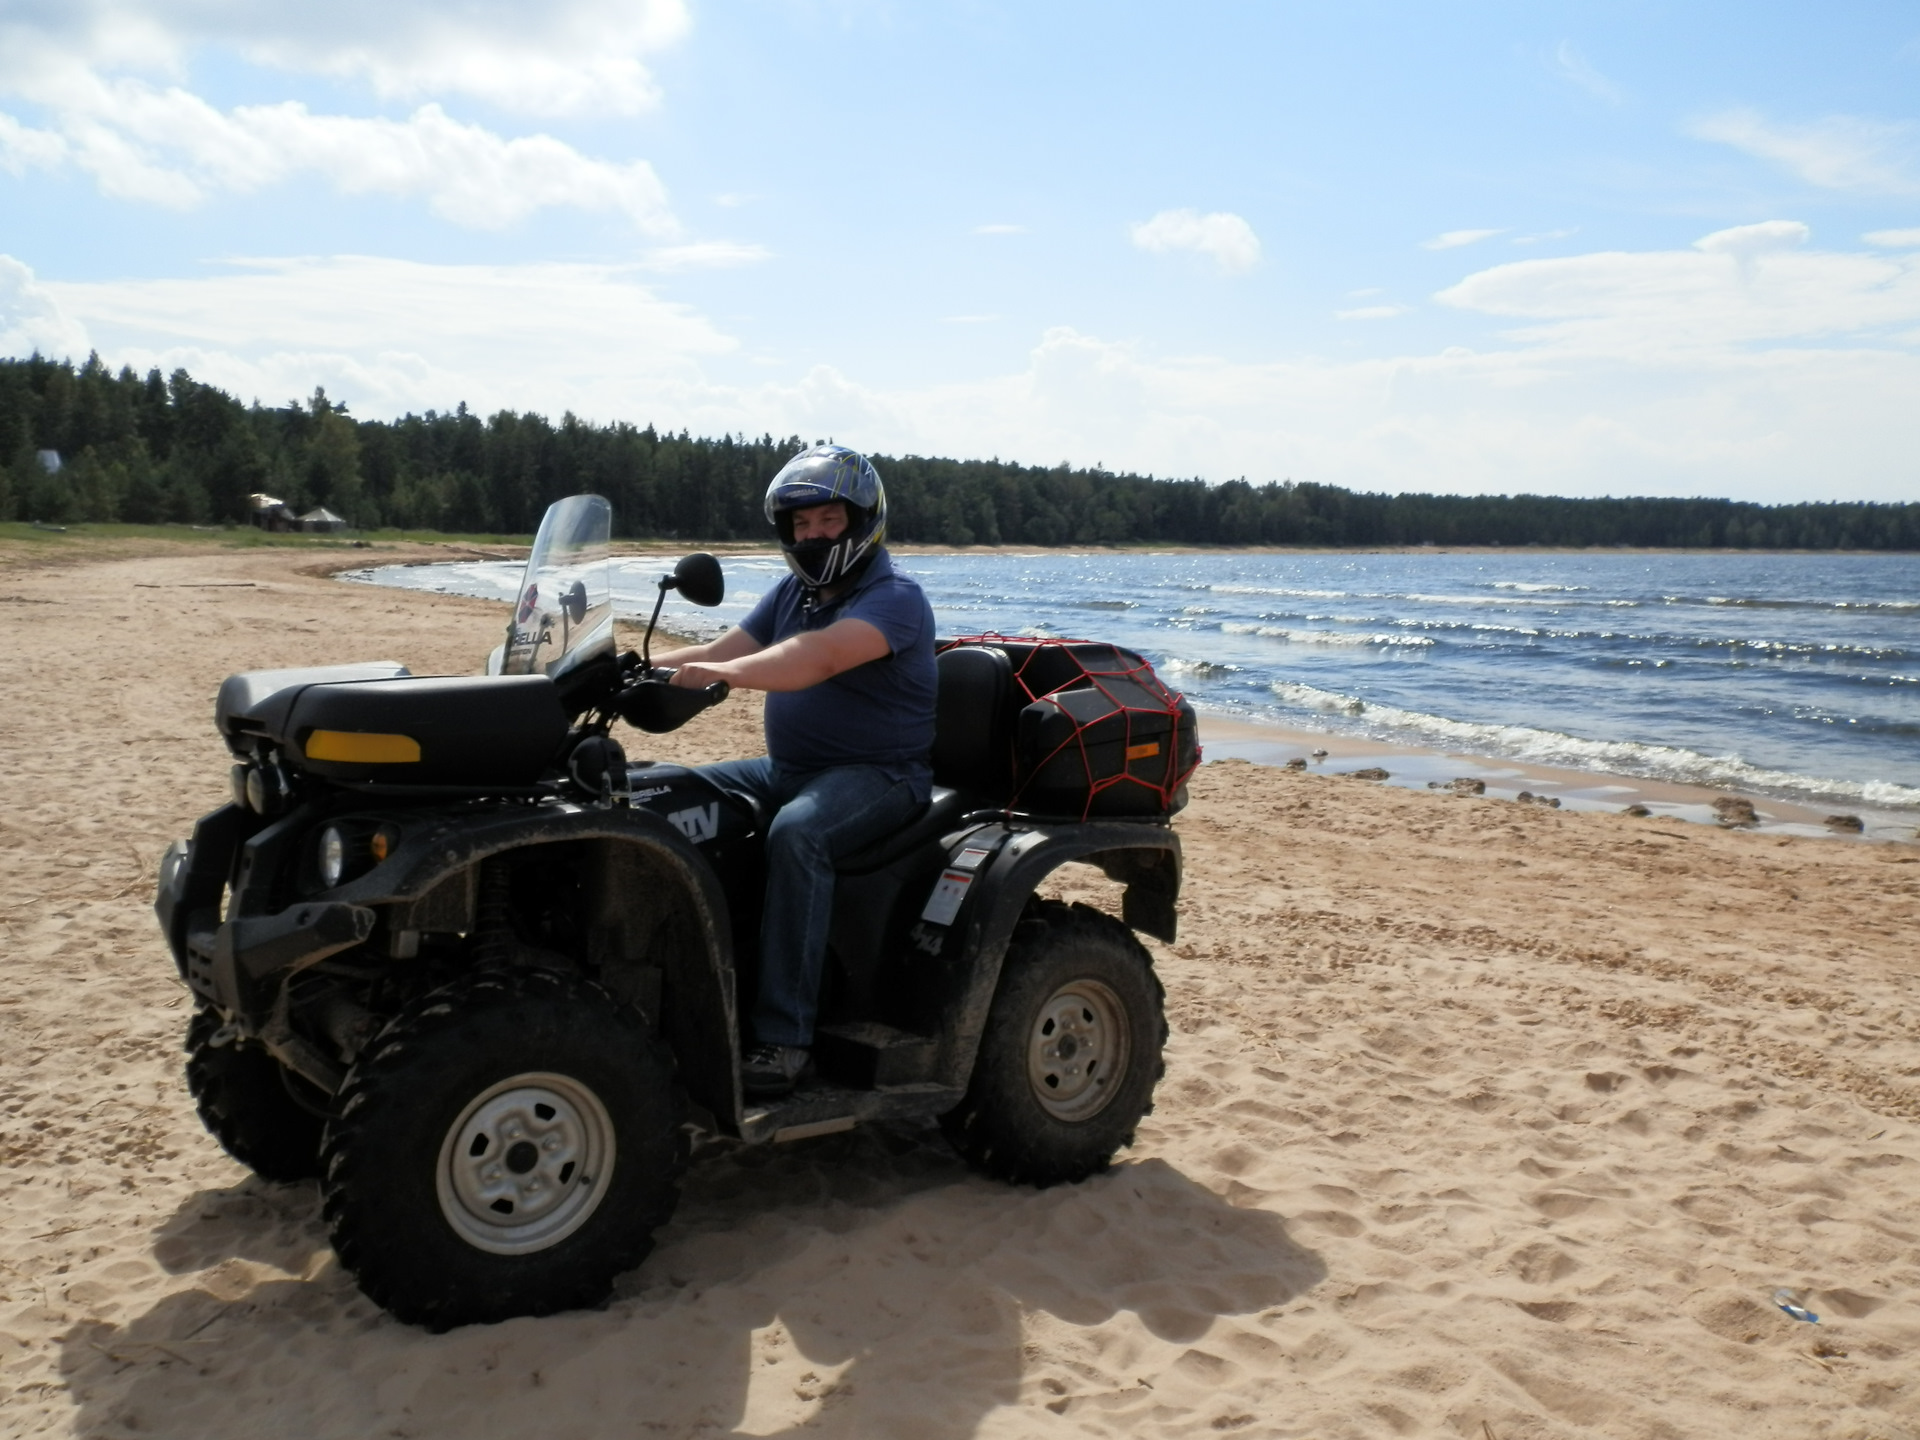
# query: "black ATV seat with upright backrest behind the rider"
[[972, 756]]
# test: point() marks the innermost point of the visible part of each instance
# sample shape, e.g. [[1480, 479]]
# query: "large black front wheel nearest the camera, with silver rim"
[[506, 1147]]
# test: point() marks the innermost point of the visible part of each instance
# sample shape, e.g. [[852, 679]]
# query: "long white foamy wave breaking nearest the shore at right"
[[1625, 757]]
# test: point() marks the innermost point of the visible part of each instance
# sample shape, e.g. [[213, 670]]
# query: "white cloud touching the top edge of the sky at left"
[[531, 57]]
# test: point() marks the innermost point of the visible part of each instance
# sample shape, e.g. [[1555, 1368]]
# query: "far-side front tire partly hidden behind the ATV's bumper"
[[243, 1101]]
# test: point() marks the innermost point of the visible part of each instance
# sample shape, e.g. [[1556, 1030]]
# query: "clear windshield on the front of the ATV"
[[564, 617]]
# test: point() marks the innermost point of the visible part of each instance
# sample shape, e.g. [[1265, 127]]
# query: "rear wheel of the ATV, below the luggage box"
[[1070, 1057]]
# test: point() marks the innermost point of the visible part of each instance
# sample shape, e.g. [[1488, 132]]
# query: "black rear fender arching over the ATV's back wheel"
[[1145, 859]]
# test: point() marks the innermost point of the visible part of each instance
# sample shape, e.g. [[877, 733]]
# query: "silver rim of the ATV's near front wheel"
[[525, 1164]]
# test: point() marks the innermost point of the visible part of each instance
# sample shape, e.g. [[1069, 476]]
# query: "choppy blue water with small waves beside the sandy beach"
[[1783, 675]]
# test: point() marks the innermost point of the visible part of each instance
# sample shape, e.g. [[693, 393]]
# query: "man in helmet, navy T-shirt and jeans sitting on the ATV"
[[844, 648]]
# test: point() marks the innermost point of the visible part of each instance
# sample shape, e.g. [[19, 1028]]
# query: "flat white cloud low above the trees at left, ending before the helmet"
[[387, 335]]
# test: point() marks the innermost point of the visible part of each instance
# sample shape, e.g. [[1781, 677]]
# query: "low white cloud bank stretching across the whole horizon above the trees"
[[1750, 364]]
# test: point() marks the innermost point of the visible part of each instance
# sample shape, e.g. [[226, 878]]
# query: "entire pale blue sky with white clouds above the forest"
[[1485, 249]]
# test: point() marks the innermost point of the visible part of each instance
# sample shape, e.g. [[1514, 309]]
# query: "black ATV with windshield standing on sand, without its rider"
[[483, 978]]
